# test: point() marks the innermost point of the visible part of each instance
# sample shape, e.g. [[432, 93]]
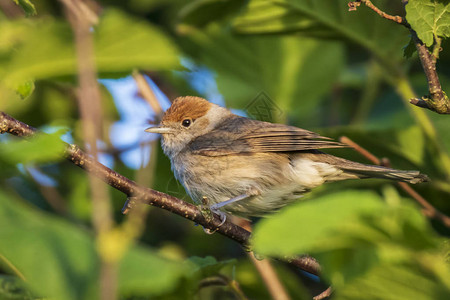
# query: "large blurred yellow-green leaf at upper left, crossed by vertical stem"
[[121, 44]]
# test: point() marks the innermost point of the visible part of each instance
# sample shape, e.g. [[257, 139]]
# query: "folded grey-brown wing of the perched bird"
[[242, 135]]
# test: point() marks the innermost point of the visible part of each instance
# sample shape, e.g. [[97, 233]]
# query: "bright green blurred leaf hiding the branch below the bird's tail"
[[312, 225]]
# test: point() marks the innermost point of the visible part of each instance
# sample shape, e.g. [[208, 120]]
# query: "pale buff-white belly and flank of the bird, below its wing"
[[222, 178]]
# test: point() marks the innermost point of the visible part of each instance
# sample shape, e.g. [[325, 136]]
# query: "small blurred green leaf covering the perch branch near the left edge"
[[40, 148]]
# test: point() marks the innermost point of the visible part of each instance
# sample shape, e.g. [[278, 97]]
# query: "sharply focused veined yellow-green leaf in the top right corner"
[[429, 18]]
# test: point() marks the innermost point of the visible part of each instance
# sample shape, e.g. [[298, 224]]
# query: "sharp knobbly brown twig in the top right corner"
[[437, 100]]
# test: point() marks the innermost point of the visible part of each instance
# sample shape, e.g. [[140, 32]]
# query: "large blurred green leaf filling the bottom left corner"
[[56, 258]]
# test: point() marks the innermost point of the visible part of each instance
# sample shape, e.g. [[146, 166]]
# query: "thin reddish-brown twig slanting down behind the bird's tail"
[[429, 210]]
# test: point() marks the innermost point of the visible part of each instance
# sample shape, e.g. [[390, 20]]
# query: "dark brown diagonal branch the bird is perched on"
[[151, 197]]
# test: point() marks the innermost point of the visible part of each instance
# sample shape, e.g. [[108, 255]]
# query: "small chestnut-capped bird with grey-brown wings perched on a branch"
[[247, 167]]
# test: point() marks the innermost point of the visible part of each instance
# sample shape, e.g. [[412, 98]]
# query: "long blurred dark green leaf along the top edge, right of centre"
[[325, 18]]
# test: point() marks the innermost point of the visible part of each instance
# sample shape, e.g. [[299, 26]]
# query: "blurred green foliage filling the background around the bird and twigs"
[[311, 64]]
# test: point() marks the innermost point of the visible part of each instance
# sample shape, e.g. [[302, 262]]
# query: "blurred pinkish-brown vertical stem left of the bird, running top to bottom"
[[81, 19]]
